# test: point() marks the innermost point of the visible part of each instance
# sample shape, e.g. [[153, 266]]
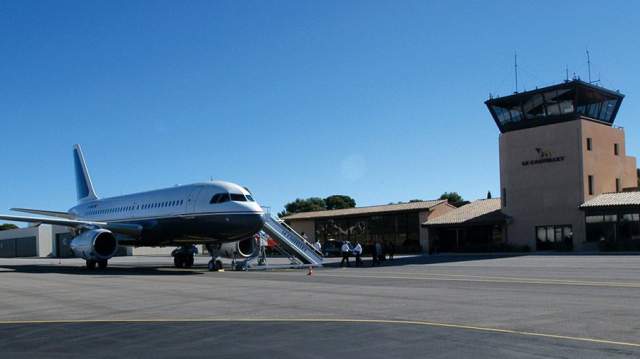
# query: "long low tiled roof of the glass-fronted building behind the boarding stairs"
[[411, 206]]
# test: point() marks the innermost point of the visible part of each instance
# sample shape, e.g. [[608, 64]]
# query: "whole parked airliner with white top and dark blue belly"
[[221, 215]]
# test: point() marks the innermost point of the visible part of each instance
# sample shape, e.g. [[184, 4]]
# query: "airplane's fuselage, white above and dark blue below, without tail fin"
[[181, 214]]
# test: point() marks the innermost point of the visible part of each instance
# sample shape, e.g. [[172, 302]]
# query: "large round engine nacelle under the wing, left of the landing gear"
[[96, 244]]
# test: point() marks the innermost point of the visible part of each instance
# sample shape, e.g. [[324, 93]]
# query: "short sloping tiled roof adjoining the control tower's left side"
[[482, 211]]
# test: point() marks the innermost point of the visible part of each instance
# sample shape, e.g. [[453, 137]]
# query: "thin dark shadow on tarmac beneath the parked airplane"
[[112, 270]]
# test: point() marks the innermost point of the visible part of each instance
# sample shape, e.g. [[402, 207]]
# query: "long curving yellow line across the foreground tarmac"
[[330, 320]]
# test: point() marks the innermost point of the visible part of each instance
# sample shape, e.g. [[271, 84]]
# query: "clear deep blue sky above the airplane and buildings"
[[380, 100]]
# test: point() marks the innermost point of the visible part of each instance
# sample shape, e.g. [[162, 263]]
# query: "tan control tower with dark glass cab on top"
[[558, 149]]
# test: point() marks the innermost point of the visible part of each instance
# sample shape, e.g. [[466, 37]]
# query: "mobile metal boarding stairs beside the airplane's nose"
[[289, 243]]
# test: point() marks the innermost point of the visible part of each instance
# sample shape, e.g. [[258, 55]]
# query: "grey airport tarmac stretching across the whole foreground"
[[532, 306]]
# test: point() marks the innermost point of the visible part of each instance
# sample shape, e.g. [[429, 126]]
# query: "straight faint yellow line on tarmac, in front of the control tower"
[[487, 280]]
